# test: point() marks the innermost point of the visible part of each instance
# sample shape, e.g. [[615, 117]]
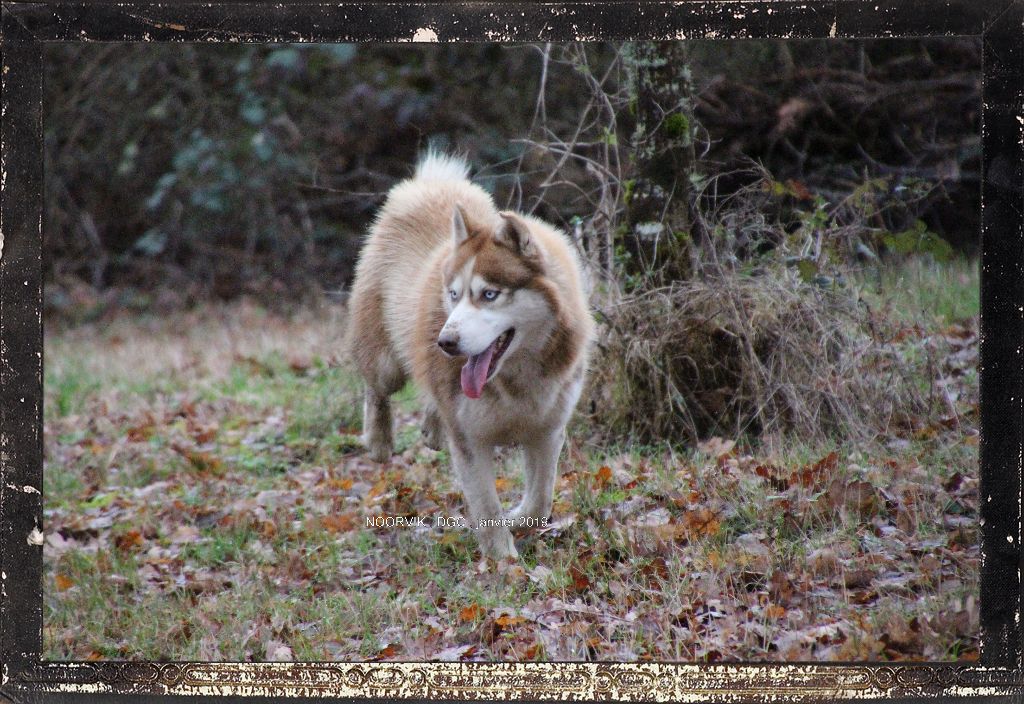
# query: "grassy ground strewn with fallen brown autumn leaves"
[[206, 499]]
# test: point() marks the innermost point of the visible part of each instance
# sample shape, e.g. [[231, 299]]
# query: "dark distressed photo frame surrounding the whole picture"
[[27, 27]]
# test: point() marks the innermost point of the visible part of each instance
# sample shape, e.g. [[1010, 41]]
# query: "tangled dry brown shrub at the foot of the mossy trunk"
[[765, 356]]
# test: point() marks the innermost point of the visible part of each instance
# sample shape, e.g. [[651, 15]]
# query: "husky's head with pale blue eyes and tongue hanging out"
[[496, 295]]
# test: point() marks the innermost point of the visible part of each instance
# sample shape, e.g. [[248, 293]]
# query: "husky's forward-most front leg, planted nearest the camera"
[[475, 468]]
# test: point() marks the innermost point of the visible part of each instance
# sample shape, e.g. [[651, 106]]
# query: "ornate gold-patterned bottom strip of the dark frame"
[[553, 682]]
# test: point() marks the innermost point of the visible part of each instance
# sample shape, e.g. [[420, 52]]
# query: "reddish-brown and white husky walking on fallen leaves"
[[487, 312]]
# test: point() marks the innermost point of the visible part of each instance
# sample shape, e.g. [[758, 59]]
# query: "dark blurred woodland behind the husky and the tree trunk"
[[182, 173]]
